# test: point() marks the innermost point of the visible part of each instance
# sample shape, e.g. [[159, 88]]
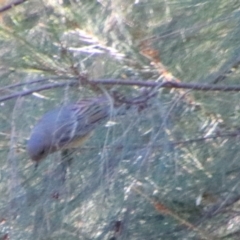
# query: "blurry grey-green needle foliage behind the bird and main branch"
[[170, 171]]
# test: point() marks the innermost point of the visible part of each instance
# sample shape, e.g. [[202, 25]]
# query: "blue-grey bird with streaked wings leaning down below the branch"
[[68, 126]]
